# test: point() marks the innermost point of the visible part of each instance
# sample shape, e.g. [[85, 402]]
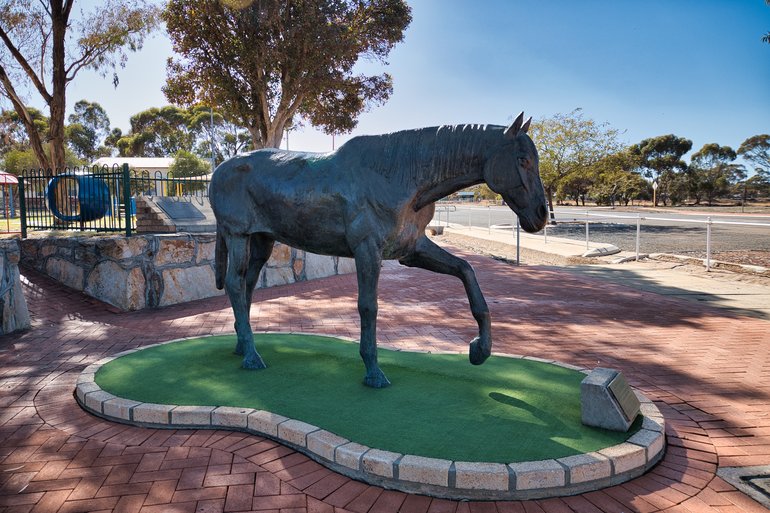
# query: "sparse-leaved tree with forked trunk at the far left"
[[45, 47]]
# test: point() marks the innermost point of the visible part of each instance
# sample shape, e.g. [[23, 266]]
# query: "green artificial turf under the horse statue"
[[507, 410]]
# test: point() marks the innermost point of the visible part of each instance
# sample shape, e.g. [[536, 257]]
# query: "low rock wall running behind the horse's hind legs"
[[149, 271]]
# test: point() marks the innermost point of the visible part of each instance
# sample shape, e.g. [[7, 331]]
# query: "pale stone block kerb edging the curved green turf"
[[408, 473]]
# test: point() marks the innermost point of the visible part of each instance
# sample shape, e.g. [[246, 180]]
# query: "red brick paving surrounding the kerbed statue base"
[[708, 371]]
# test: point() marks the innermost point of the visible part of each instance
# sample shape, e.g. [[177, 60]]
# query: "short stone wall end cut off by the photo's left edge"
[[13, 306]]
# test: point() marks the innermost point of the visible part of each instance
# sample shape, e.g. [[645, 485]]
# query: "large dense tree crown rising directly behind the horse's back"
[[263, 63]]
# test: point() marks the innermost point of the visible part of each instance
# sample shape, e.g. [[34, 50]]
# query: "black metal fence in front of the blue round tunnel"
[[101, 199]]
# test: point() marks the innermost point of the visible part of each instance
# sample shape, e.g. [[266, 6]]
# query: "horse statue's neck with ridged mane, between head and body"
[[434, 154]]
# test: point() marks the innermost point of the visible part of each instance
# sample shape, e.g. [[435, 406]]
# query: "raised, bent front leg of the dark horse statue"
[[428, 255]]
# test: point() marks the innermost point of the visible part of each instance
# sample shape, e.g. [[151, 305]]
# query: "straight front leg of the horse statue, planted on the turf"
[[368, 261]]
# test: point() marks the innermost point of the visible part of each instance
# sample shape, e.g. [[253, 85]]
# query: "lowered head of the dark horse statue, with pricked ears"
[[512, 171]]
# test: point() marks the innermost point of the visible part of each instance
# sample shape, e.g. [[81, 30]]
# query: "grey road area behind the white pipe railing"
[[660, 232]]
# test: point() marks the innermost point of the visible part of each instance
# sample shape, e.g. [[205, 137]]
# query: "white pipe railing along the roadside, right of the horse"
[[629, 219]]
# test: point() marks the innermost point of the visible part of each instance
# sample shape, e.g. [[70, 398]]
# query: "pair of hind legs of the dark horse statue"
[[246, 256]]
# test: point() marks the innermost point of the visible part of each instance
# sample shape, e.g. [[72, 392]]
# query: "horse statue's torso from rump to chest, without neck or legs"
[[322, 203]]
